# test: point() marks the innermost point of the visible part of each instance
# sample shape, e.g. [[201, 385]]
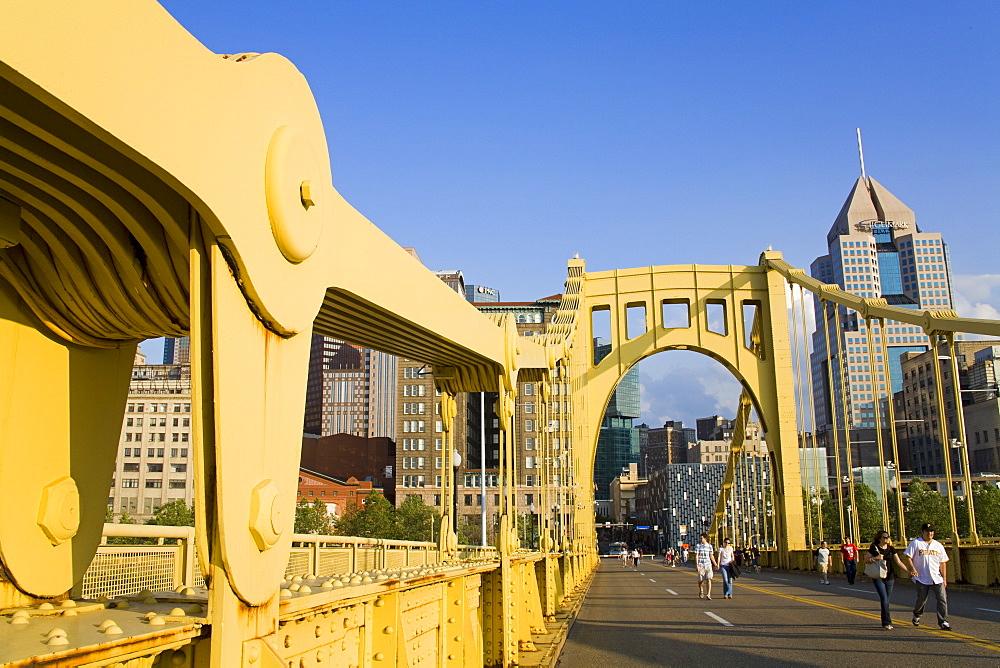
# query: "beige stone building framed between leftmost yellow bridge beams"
[[154, 464]]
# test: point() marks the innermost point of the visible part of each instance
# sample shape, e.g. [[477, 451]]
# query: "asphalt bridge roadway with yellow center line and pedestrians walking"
[[652, 616]]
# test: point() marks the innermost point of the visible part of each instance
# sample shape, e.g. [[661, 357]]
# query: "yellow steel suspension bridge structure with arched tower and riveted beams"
[[148, 188]]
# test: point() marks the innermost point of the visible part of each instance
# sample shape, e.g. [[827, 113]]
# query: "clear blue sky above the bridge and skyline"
[[502, 138]]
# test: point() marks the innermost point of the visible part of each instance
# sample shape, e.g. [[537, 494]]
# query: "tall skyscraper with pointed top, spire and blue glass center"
[[875, 250]]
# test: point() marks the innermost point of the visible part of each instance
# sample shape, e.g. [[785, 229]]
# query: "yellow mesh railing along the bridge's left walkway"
[[166, 558]]
